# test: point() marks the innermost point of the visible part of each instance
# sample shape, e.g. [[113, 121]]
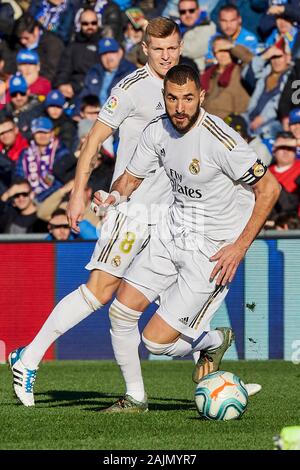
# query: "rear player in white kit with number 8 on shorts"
[[133, 103]]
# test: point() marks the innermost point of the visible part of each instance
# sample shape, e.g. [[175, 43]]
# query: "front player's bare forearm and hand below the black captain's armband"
[[266, 192]]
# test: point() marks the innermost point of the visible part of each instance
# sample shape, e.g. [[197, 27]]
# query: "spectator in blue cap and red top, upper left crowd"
[[28, 64]]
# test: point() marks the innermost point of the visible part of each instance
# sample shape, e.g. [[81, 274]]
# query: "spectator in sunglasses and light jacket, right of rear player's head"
[[196, 30]]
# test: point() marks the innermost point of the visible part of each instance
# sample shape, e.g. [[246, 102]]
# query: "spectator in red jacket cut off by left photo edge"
[[11, 140]]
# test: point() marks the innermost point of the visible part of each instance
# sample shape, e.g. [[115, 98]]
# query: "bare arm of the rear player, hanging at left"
[[86, 163]]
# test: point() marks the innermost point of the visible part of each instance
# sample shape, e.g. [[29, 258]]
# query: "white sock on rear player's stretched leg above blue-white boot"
[[68, 312]]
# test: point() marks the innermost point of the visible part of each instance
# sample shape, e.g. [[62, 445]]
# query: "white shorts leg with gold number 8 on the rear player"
[[121, 239]]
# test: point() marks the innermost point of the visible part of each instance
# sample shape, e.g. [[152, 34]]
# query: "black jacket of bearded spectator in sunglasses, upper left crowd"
[[76, 61]]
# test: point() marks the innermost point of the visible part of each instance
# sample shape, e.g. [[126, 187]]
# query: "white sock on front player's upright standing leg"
[[125, 338]]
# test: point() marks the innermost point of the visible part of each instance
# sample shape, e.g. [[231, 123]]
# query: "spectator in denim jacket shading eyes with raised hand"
[[271, 71]]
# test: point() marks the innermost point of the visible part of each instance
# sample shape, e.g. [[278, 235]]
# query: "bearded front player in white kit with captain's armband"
[[195, 250]]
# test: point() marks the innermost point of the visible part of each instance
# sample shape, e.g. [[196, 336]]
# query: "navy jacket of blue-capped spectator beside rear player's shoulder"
[[94, 78]]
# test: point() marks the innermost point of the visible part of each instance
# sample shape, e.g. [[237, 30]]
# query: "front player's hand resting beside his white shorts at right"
[[228, 260]]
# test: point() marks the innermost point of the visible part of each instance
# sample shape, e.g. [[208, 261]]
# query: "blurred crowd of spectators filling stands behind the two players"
[[59, 60]]
